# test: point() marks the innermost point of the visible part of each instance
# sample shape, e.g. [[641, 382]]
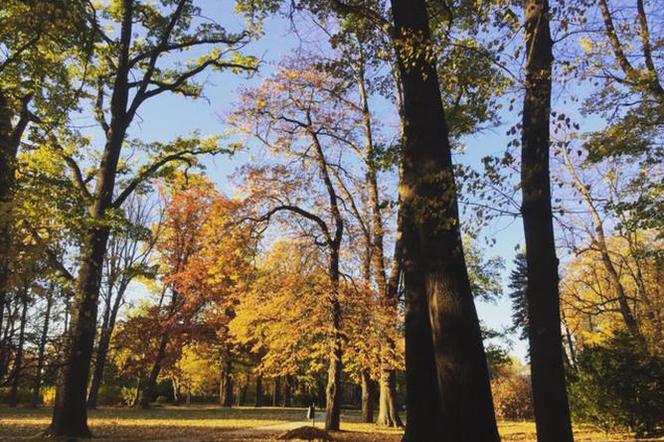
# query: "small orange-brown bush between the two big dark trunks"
[[512, 396]]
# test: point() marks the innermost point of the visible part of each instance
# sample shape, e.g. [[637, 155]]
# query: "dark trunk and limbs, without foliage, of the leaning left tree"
[[70, 412]]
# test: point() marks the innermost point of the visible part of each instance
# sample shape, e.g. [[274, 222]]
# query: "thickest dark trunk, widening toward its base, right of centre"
[[437, 287]]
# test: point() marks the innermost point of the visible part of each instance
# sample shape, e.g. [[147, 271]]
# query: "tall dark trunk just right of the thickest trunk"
[[546, 352]]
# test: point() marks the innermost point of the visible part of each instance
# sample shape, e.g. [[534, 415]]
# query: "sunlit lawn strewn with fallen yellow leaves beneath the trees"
[[213, 423]]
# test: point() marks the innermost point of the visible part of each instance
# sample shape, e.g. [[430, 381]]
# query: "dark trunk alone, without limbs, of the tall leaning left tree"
[[70, 411]]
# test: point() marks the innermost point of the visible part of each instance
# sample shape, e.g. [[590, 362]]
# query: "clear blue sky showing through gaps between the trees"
[[167, 117]]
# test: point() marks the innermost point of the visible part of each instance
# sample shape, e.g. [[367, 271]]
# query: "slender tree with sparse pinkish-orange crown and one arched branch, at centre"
[[291, 116]]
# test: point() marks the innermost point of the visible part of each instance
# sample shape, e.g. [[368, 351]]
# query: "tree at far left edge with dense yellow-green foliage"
[[44, 42]]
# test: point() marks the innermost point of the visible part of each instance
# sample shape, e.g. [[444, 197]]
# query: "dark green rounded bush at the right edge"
[[619, 385]]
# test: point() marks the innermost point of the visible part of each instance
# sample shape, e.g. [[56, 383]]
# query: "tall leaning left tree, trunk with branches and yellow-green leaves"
[[164, 31]]
